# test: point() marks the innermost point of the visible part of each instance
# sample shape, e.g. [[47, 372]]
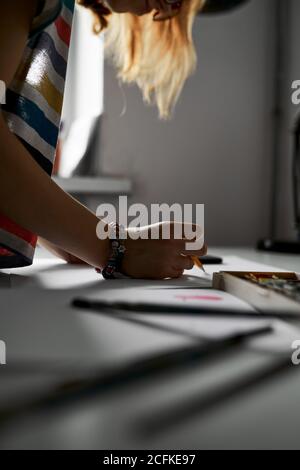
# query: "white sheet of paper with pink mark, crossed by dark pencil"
[[202, 326]]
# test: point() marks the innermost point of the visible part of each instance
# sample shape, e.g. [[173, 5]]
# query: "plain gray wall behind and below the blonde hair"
[[217, 148]]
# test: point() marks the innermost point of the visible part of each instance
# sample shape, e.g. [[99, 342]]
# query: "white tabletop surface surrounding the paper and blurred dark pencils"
[[37, 320]]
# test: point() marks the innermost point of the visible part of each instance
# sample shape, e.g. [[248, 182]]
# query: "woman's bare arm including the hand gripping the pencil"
[[33, 200]]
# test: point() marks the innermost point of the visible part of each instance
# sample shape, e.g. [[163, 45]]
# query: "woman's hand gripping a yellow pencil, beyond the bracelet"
[[159, 258]]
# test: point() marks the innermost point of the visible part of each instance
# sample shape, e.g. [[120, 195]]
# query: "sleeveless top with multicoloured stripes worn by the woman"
[[33, 110]]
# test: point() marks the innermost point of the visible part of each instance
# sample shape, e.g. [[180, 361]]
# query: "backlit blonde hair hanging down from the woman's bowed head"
[[156, 55]]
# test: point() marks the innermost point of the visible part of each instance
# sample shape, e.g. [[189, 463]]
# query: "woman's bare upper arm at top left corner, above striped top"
[[15, 21]]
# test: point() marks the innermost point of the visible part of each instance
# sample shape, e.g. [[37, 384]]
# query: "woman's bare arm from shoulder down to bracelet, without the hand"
[[27, 193]]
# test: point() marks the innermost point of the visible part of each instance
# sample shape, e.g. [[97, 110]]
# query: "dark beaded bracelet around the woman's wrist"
[[113, 266]]
